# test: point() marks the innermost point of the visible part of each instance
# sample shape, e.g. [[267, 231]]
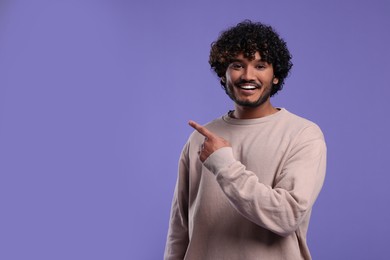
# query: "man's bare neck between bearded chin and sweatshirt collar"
[[263, 110]]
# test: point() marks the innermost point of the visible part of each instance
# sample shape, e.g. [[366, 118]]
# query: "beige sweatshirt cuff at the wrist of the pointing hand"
[[219, 159]]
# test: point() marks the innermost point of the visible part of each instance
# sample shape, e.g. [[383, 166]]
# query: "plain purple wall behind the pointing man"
[[94, 102]]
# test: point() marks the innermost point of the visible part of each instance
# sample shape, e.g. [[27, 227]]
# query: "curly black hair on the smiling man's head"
[[248, 37]]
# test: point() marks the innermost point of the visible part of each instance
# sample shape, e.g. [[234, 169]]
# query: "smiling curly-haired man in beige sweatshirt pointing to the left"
[[247, 181]]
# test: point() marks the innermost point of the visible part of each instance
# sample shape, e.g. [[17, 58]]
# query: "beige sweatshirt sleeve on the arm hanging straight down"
[[177, 238]]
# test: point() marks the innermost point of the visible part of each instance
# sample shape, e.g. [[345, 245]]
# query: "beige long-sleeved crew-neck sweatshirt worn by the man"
[[252, 200]]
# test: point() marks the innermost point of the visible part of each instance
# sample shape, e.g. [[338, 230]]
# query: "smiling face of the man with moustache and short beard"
[[249, 82]]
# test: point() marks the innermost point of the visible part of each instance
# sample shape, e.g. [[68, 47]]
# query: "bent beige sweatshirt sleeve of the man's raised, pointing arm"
[[282, 207]]
